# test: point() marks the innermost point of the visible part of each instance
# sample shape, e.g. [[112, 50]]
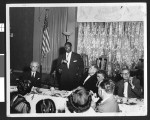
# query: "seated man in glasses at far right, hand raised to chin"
[[128, 86]]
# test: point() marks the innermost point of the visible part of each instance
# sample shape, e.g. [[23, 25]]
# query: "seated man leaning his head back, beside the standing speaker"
[[89, 79]]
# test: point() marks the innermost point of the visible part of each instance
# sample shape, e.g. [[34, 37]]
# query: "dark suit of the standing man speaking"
[[70, 77]]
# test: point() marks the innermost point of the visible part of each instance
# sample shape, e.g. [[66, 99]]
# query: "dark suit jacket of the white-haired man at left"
[[35, 81]]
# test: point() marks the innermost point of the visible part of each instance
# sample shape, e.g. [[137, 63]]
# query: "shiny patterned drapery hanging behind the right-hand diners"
[[121, 42]]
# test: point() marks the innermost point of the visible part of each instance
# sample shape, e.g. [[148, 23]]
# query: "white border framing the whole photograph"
[[69, 5]]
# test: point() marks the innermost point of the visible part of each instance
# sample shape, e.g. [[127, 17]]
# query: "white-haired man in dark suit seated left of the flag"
[[33, 75]]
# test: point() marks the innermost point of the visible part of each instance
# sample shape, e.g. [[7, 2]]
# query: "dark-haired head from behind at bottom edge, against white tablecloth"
[[45, 106]]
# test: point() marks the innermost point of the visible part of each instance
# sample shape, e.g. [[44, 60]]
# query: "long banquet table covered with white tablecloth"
[[128, 107]]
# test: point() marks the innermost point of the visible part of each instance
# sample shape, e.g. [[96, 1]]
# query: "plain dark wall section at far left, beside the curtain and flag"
[[21, 43]]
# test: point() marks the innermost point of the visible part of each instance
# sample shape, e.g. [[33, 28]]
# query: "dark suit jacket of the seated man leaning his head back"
[[90, 84]]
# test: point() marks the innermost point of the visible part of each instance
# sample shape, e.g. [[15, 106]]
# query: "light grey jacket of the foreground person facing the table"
[[110, 105]]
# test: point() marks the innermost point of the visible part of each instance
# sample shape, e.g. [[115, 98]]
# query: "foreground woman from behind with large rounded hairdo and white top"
[[80, 101]]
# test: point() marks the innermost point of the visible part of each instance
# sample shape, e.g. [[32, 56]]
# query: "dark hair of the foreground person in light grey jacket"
[[108, 85]]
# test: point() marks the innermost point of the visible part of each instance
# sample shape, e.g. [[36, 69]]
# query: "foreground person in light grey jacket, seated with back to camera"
[[108, 103]]
